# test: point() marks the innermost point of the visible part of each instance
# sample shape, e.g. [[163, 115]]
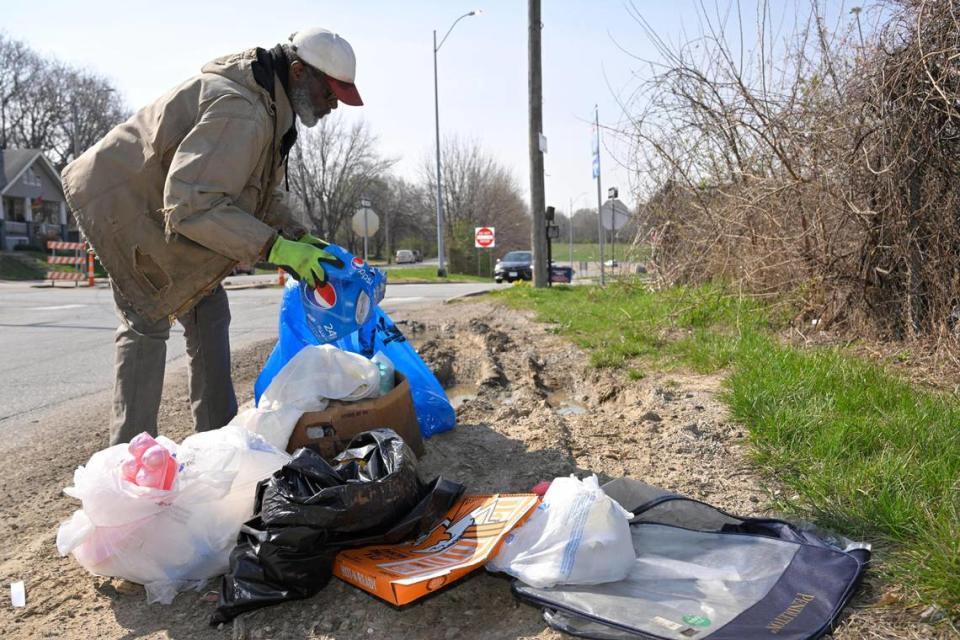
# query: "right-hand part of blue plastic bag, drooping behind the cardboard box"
[[435, 414]]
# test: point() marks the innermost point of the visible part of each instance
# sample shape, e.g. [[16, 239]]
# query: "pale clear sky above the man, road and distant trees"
[[147, 47]]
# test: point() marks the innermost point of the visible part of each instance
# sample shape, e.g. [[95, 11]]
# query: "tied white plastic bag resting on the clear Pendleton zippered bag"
[[578, 535]]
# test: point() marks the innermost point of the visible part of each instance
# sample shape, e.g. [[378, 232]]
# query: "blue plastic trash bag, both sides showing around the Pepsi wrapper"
[[379, 333]]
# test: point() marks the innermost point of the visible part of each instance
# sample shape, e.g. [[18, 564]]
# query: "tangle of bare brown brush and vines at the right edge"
[[823, 161]]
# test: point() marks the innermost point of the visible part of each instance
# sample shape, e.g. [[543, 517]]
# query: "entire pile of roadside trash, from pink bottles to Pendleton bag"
[[321, 479]]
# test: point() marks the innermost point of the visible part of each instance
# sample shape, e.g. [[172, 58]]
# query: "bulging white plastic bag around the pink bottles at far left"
[[172, 540]]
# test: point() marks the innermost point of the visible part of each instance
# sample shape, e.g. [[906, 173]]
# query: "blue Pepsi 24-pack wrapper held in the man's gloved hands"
[[345, 301]]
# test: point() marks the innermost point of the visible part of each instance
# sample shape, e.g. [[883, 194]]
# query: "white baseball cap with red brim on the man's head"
[[326, 51]]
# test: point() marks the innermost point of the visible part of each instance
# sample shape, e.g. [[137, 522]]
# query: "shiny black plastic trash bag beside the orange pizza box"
[[309, 510]]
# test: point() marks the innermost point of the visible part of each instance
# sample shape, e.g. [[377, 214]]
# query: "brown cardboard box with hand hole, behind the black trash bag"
[[329, 431]]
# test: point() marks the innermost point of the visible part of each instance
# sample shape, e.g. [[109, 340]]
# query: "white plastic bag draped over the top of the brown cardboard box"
[[313, 377]]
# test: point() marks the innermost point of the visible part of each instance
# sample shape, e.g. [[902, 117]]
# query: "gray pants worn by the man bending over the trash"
[[141, 357]]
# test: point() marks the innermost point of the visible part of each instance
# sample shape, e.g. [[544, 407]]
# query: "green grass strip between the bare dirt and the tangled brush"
[[871, 455]]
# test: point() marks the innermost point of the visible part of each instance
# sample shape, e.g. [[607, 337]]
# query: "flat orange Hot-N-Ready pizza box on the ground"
[[472, 532]]
